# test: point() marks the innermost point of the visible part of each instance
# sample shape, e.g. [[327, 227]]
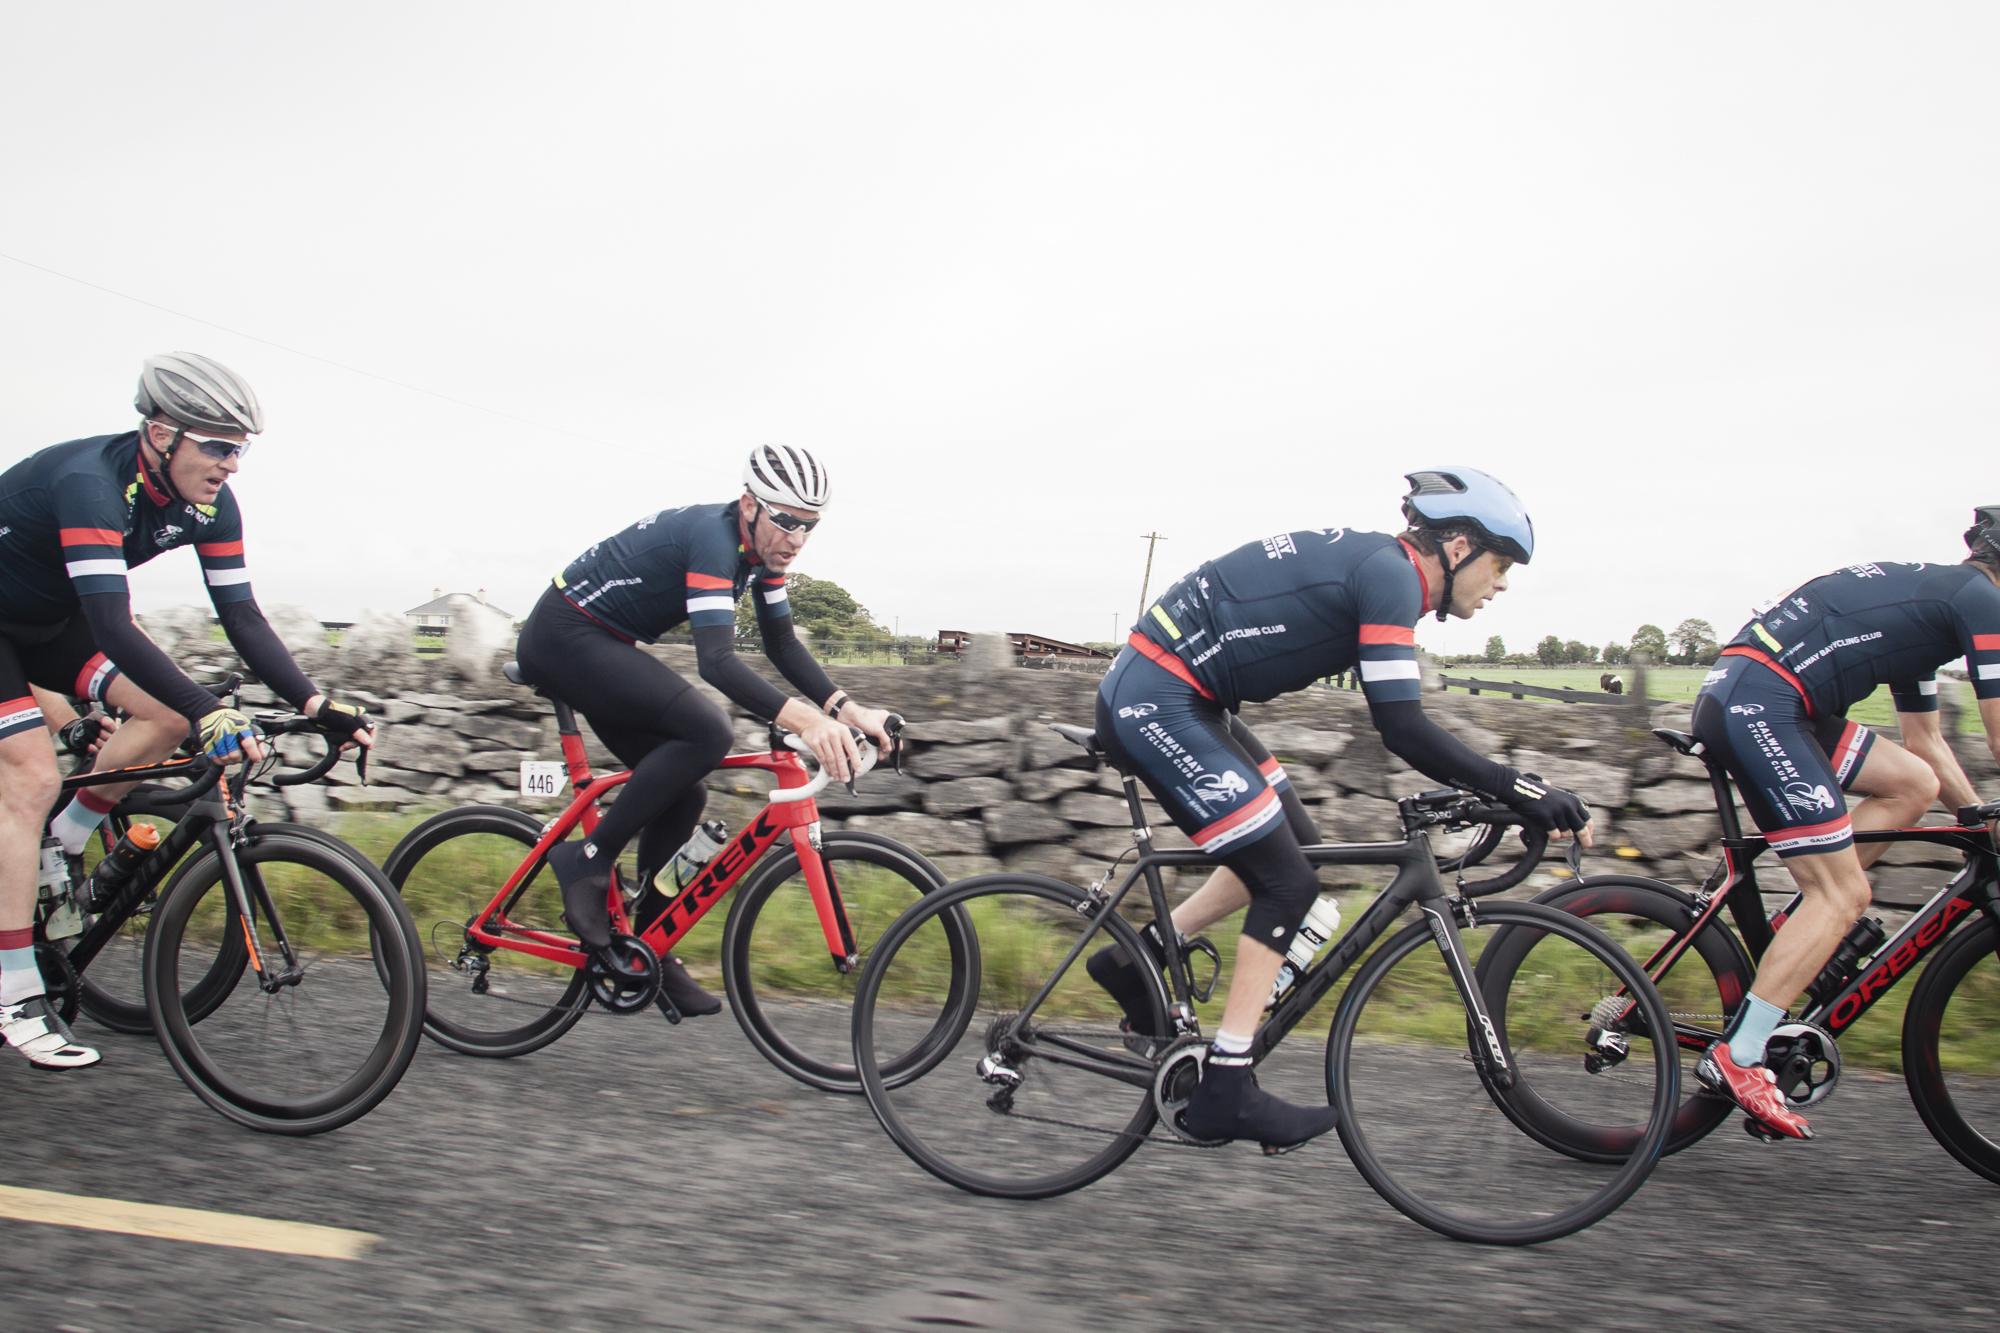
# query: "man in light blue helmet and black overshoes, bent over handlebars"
[[1257, 623]]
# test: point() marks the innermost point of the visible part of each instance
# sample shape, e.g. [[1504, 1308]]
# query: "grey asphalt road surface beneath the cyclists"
[[669, 1178]]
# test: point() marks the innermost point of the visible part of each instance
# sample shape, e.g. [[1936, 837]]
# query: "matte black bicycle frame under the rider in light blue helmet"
[[1417, 882]]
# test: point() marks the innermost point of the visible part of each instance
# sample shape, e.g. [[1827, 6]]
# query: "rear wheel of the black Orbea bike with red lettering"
[[1701, 990]]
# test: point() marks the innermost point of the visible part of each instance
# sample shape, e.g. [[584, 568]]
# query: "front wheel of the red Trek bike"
[[789, 998]]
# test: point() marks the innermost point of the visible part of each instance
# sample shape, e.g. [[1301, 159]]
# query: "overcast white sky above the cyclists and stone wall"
[[1713, 287]]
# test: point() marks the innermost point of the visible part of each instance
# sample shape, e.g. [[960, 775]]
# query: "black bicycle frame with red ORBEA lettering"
[[1733, 884]]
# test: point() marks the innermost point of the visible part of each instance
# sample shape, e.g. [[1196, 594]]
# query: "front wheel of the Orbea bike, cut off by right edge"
[[1949, 1050]]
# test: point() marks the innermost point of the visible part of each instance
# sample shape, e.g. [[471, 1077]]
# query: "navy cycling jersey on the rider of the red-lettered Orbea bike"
[[1847, 633]]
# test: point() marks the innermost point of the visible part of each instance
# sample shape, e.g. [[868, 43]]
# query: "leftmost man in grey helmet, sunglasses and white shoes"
[[73, 519]]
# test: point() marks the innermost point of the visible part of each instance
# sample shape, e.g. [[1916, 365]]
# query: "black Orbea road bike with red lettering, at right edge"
[[1951, 1032]]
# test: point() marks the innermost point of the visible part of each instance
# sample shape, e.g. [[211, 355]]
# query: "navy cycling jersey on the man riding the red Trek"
[[675, 565]]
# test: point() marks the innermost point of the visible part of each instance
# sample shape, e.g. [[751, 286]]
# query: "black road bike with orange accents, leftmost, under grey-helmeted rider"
[[275, 964]]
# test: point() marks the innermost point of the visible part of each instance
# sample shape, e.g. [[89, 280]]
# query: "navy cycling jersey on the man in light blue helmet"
[[1277, 615]]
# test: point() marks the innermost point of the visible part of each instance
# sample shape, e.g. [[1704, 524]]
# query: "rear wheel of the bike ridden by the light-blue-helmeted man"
[[1015, 1108]]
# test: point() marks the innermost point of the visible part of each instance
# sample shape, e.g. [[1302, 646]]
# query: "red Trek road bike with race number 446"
[[513, 980]]
